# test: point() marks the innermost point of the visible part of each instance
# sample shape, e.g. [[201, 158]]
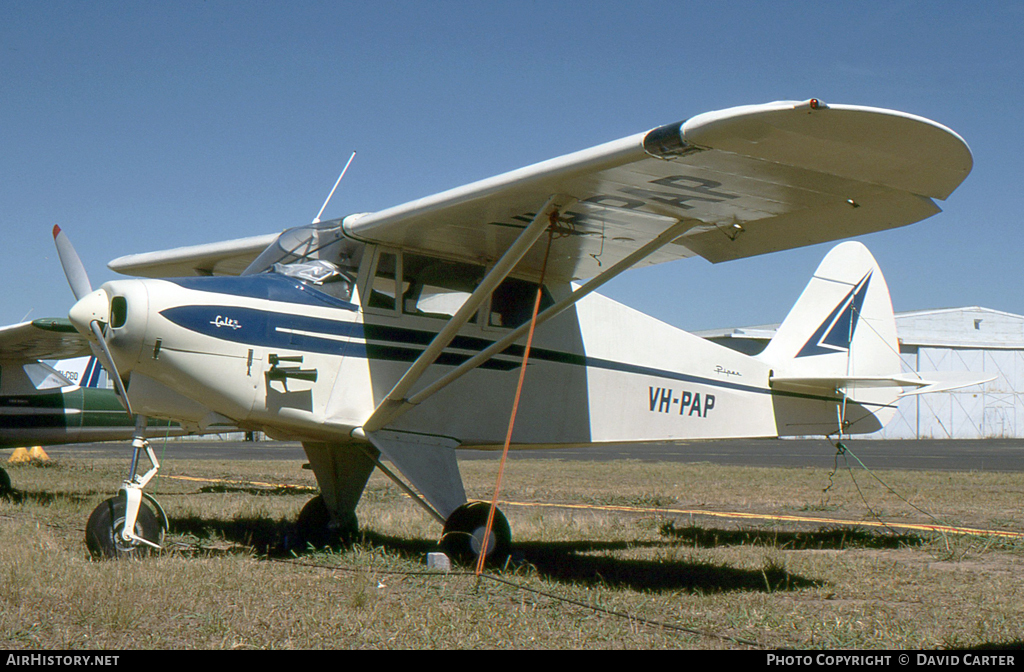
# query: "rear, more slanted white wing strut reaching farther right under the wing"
[[400, 406]]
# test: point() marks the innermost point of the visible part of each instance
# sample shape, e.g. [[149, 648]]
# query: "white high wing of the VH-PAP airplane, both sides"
[[744, 182]]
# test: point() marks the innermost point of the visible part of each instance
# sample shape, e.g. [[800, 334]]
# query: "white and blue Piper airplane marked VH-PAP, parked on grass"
[[399, 335]]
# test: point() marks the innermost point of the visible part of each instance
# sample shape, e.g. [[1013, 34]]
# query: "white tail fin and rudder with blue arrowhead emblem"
[[837, 343]]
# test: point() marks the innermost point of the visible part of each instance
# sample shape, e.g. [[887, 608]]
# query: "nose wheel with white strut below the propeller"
[[123, 526]]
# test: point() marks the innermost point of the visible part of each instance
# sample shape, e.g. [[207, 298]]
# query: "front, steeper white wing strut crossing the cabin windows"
[[397, 398]]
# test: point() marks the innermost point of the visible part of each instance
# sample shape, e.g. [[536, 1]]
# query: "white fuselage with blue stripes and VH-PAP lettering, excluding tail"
[[271, 353]]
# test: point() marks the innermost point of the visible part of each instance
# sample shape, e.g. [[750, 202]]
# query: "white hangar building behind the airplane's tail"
[[976, 340]]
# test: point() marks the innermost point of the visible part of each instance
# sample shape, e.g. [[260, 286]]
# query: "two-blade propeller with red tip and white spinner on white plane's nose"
[[92, 313]]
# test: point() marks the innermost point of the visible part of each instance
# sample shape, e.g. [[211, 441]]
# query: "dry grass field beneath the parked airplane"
[[607, 556]]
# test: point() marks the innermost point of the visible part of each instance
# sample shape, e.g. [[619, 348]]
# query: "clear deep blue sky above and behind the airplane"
[[141, 127]]
